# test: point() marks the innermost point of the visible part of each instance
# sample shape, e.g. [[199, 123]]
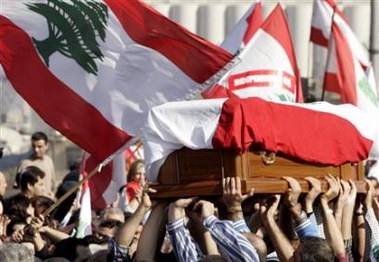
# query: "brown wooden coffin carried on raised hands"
[[189, 172]]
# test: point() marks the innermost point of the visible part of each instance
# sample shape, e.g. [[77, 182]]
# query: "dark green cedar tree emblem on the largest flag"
[[73, 27]]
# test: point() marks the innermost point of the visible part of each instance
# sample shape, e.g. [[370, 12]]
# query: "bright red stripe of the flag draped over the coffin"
[[285, 128]]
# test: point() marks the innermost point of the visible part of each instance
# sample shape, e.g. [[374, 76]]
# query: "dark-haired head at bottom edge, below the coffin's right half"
[[314, 249]]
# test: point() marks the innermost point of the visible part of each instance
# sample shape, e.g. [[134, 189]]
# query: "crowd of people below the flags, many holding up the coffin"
[[338, 224]]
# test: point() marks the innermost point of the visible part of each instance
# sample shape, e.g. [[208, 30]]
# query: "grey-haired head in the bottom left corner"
[[12, 252]]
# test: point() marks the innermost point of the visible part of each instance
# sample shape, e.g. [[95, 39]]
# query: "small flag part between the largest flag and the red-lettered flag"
[[245, 28]]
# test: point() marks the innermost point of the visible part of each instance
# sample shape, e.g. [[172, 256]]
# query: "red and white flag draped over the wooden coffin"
[[317, 132]]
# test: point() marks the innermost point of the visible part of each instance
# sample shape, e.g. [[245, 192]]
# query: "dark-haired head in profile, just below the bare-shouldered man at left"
[[32, 181]]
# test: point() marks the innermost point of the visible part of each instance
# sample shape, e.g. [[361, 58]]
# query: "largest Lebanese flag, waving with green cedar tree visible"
[[93, 69]]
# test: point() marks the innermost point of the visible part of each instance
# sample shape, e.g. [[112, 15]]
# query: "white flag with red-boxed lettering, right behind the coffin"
[[272, 76]]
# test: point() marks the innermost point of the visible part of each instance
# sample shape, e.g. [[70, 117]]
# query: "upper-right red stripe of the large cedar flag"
[[196, 57]]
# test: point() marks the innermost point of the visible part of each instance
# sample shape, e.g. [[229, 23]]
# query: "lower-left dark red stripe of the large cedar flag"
[[57, 104]]
